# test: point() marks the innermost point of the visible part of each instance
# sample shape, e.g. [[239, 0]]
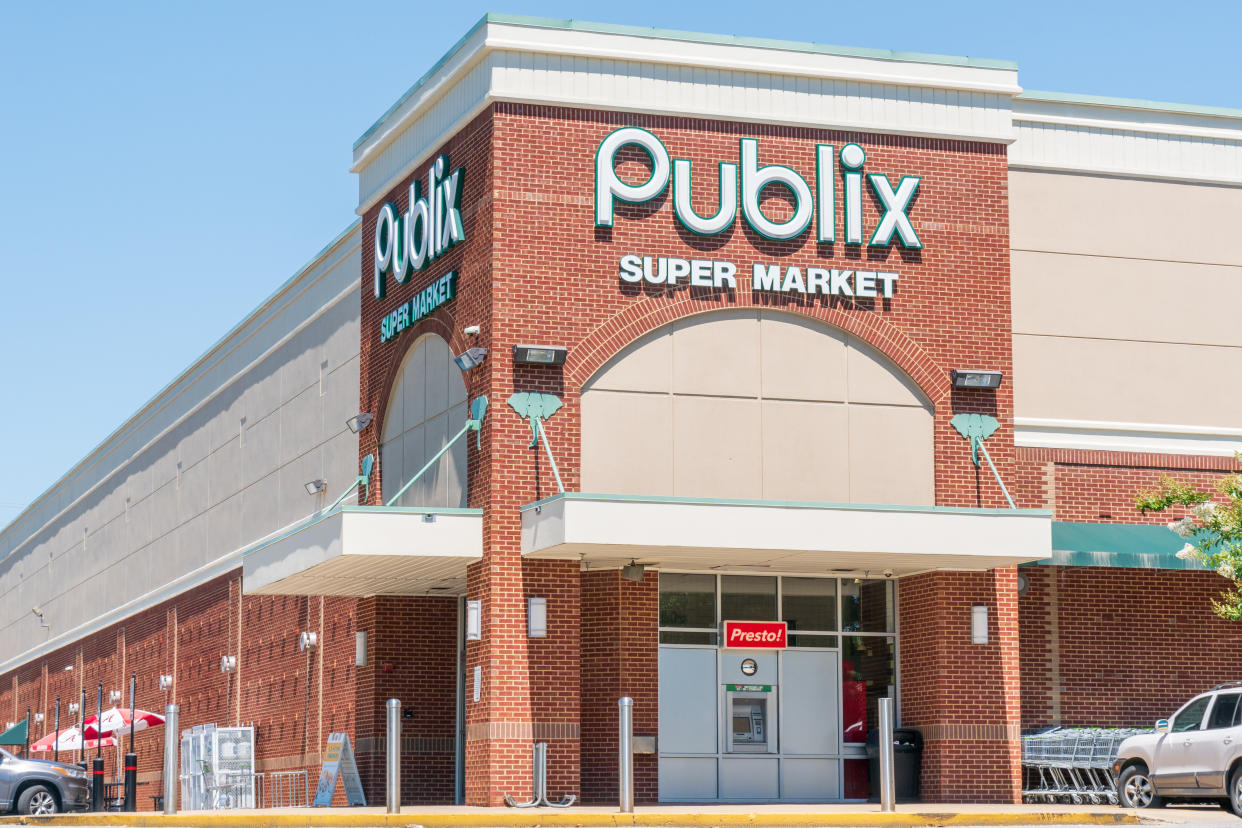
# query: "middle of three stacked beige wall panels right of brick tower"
[[1115, 299]]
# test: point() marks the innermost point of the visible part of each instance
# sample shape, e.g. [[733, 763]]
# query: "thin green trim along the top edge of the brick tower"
[[690, 37]]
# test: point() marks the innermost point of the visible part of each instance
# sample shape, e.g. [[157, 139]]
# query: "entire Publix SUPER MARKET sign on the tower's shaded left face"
[[408, 243]]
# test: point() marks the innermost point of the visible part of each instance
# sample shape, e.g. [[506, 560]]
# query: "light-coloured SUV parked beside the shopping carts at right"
[[1195, 755]]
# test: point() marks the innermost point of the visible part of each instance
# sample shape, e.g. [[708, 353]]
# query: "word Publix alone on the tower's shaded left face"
[[409, 241]]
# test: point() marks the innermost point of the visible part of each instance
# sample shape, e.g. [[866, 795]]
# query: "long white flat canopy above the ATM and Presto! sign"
[[607, 531]]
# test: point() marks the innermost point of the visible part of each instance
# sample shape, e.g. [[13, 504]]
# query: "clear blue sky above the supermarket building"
[[166, 166]]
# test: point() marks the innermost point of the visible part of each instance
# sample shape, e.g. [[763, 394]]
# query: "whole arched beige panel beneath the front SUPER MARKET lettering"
[[714, 407]]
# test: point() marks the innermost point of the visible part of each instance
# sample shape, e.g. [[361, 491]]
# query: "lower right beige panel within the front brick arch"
[[891, 456]]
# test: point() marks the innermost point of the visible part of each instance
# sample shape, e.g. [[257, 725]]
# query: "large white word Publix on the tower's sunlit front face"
[[808, 207]]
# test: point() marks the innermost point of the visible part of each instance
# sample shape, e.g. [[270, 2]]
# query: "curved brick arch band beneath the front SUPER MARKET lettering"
[[645, 317]]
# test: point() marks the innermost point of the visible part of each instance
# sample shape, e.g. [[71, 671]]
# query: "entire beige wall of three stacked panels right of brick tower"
[[1126, 297]]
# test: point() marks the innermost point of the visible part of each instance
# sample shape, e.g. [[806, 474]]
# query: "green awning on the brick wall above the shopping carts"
[[1138, 547]]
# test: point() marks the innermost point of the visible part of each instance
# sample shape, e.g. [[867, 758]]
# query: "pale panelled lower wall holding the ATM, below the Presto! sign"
[[750, 726]]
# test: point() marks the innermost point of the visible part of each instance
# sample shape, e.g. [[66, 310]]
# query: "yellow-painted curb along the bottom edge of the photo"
[[572, 820]]
